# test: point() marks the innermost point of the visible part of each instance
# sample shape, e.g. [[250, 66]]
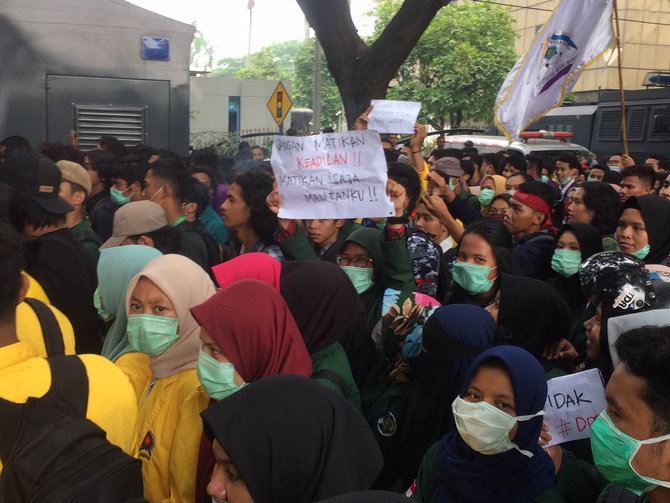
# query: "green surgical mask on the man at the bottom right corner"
[[613, 453]]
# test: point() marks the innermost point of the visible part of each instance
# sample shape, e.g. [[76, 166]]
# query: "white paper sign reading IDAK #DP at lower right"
[[573, 403]]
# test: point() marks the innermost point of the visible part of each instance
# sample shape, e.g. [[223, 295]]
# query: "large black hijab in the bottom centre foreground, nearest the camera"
[[292, 439]]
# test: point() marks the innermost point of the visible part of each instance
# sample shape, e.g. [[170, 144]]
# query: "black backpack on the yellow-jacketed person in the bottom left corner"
[[51, 452]]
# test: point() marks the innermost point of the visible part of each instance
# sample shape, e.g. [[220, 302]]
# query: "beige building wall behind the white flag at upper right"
[[645, 29]]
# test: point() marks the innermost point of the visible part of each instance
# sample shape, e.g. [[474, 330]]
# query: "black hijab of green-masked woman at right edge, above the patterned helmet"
[[656, 215]]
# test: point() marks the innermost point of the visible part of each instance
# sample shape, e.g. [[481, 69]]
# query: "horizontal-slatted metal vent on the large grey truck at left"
[[124, 122]]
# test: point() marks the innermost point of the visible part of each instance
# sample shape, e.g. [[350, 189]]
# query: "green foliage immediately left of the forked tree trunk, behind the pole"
[[303, 85]]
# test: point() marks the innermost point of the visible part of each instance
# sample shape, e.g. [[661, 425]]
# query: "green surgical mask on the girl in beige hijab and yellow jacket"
[[150, 334]]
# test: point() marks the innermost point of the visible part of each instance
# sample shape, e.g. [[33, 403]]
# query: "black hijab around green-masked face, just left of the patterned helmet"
[[590, 242]]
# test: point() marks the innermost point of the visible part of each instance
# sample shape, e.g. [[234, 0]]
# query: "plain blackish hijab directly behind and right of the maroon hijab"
[[322, 300]]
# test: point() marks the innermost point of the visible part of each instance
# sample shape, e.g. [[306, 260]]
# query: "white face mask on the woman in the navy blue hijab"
[[486, 428]]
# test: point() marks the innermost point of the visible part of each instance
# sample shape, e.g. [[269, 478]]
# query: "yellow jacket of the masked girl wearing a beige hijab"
[[167, 437]]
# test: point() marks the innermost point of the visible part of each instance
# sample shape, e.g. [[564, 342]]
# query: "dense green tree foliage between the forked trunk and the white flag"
[[459, 63]]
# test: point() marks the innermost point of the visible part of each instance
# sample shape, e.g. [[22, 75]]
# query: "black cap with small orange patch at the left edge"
[[38, 178]]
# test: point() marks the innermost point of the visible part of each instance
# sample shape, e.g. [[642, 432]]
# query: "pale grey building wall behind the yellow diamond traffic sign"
[[210, 98]]
